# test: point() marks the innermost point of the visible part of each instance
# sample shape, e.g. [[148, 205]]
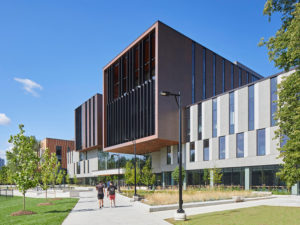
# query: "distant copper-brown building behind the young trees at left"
[[58, 146]]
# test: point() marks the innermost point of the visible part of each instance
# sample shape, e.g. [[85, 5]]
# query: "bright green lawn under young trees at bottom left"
[[50, 214]]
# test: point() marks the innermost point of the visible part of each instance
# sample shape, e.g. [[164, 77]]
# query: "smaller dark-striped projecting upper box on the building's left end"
[[88, 124]]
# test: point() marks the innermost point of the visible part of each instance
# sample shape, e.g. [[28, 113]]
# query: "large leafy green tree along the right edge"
[[284, 50]]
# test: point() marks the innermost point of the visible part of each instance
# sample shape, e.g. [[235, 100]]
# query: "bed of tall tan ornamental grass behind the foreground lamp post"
[[165, 197]]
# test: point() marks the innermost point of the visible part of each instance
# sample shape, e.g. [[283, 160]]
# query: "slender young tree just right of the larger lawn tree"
[[48, 163]]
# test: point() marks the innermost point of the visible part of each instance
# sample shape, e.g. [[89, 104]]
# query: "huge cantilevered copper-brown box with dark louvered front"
[[179, 66]]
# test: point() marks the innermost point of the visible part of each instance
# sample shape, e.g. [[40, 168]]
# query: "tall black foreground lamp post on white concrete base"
[[180, 214]]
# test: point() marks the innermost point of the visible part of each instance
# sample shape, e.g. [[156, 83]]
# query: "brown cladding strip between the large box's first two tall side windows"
[[198, 72]]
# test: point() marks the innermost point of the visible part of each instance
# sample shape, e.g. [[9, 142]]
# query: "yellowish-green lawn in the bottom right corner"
[[260, 215]]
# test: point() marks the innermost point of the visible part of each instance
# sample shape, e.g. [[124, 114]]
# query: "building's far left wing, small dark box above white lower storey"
[[88, 161]]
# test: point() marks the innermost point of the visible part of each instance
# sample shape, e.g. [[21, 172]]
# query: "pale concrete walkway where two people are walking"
[[129, 213]]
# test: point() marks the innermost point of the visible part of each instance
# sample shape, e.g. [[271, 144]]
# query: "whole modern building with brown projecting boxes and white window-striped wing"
[[228, 111]]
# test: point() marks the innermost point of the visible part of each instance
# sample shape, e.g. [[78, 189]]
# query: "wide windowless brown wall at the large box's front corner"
[[174, 75]]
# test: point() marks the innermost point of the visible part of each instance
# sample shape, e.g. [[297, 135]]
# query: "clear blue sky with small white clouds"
[[52, 52]]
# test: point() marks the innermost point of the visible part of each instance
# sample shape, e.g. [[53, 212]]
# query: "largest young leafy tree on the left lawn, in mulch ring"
[[23, 162]]
